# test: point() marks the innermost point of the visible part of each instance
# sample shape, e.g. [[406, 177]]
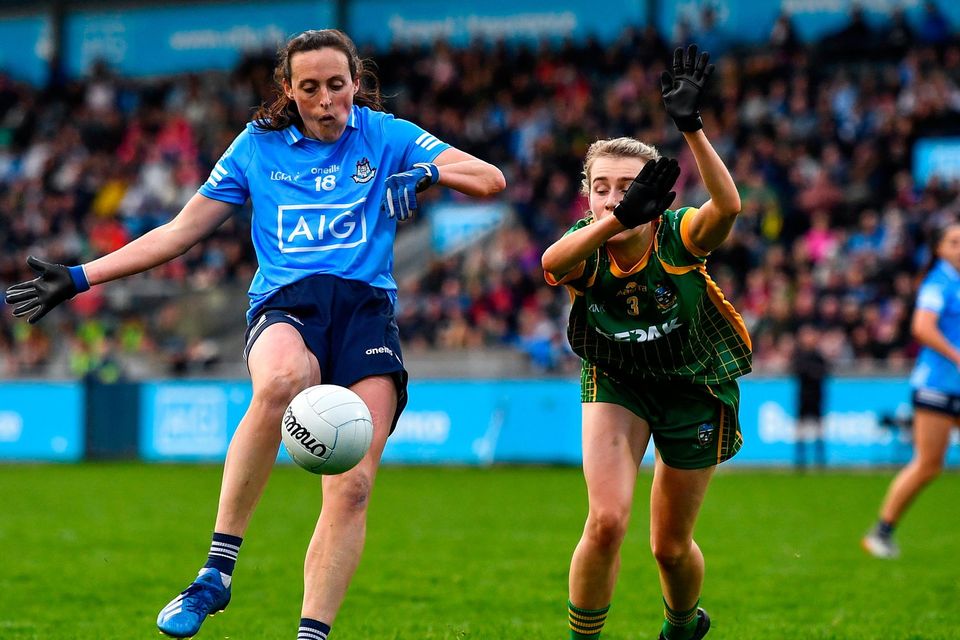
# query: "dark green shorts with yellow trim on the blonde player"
[[694, 426]]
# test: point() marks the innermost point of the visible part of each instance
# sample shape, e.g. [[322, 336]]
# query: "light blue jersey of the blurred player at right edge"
[[940, 293]]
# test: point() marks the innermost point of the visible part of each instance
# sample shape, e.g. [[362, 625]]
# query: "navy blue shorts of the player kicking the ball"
[[348, 325]]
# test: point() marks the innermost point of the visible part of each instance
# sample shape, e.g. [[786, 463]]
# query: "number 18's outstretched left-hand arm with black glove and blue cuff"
[[57, 283]]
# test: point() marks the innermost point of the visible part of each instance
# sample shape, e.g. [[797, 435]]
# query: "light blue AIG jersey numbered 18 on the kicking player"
[[316, 205]]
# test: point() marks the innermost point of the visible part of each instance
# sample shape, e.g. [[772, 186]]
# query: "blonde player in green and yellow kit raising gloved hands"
[[661, 352]]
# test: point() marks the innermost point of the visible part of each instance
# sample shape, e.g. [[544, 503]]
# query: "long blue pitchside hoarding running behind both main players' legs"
[[482, 422]]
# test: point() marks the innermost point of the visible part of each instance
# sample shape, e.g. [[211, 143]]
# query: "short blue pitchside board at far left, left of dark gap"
[[41, 421]]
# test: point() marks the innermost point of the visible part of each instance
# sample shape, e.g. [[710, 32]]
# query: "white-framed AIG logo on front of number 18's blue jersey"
[[321, 227]]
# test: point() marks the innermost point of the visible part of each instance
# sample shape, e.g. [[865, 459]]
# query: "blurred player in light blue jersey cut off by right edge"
[[936, 388]]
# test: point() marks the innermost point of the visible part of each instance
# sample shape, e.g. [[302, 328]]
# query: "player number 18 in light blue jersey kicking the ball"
[[329, 175]]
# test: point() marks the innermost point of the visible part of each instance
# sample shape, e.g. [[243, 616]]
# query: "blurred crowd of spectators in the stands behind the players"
[[819, 137]]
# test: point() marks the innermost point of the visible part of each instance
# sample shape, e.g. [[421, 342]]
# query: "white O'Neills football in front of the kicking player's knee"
[[326, 429]]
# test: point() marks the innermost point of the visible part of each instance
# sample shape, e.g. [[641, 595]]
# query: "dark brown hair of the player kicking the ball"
[[282, 112]]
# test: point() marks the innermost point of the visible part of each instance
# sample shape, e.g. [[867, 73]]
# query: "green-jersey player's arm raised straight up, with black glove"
[[682, 93]]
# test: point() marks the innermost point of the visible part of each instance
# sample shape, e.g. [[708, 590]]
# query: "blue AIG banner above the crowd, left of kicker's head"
[[184, 38]]
